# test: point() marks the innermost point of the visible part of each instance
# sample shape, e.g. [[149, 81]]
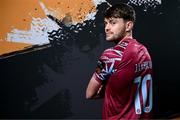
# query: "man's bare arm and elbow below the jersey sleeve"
[[92, 88]]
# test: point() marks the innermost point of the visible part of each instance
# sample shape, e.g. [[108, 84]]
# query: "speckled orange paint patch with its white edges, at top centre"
[[78, 9]]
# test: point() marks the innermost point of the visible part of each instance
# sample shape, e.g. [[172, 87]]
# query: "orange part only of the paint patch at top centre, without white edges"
[[77, 9]]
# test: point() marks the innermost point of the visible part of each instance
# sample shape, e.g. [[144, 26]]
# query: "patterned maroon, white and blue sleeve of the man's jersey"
[[112, 60]]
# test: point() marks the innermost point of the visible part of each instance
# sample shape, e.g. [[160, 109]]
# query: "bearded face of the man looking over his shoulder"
[[115, 29]]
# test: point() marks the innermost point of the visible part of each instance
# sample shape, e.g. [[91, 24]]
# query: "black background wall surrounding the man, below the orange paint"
[[51, 82]]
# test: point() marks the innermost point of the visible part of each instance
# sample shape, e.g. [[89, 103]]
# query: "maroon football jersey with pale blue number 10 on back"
[[126, 71]]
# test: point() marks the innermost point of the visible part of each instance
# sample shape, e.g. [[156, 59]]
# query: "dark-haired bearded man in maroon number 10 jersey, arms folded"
[[124, 72]]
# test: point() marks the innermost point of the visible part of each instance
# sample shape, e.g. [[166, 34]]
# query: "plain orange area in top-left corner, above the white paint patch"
[[18, 14]]
